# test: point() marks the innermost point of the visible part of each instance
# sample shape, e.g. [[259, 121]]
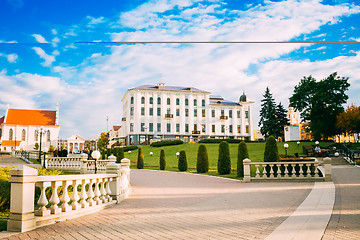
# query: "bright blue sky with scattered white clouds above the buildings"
[[45, 59]]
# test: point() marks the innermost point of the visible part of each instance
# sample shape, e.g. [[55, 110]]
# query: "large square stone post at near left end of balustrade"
[[22, 197]]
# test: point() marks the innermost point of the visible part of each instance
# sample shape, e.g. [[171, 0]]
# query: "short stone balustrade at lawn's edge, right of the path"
[[300, 170]]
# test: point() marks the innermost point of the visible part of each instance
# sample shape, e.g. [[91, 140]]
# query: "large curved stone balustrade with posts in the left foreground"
[[63, 196]]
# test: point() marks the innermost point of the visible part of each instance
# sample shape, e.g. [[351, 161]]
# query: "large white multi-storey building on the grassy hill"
[[184, 113]]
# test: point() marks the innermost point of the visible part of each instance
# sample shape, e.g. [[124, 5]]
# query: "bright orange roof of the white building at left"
[[30, 117]]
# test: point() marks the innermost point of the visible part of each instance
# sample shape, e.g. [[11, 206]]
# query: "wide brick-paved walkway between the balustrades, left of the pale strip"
[[173, 205]]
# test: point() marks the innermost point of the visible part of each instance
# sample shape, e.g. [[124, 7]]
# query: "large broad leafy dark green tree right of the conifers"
[[320, 102]]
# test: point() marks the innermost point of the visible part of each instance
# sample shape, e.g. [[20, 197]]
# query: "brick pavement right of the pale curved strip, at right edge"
[[345, 220]]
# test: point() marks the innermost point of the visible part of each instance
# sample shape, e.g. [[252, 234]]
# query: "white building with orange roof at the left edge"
[[19, 129]]
